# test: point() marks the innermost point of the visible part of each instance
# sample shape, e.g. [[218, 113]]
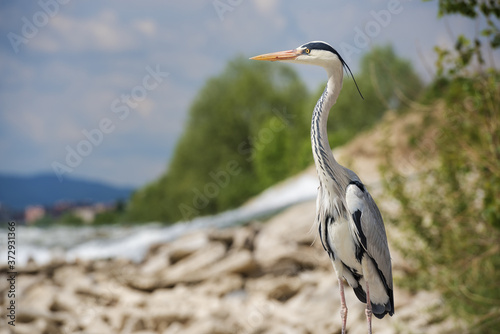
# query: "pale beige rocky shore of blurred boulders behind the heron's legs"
[[265, 277]]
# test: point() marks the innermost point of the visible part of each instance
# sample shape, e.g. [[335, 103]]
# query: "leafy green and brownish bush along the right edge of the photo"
[[451, 213]]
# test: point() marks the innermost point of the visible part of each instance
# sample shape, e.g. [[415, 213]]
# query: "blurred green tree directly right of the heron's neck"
[[385, 81]]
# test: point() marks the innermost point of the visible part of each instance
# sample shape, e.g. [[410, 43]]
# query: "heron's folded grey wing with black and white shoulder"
[[368, 227]]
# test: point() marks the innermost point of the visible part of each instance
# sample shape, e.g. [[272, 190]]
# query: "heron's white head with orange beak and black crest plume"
[[314, 53]]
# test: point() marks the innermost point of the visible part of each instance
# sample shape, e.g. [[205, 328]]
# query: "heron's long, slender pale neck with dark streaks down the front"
[[323, 157]]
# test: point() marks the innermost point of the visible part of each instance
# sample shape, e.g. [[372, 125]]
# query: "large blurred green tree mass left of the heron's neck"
[[242, 135]]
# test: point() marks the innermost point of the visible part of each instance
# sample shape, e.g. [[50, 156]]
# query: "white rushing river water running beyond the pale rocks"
[[132, 242]]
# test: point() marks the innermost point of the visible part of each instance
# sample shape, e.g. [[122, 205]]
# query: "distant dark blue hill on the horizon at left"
[[17, 191]]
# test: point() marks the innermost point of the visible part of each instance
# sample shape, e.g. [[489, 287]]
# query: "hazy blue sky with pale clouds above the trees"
[[102, 89]]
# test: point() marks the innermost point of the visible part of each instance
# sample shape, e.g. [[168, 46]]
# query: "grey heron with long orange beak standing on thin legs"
[[350, 225]]
